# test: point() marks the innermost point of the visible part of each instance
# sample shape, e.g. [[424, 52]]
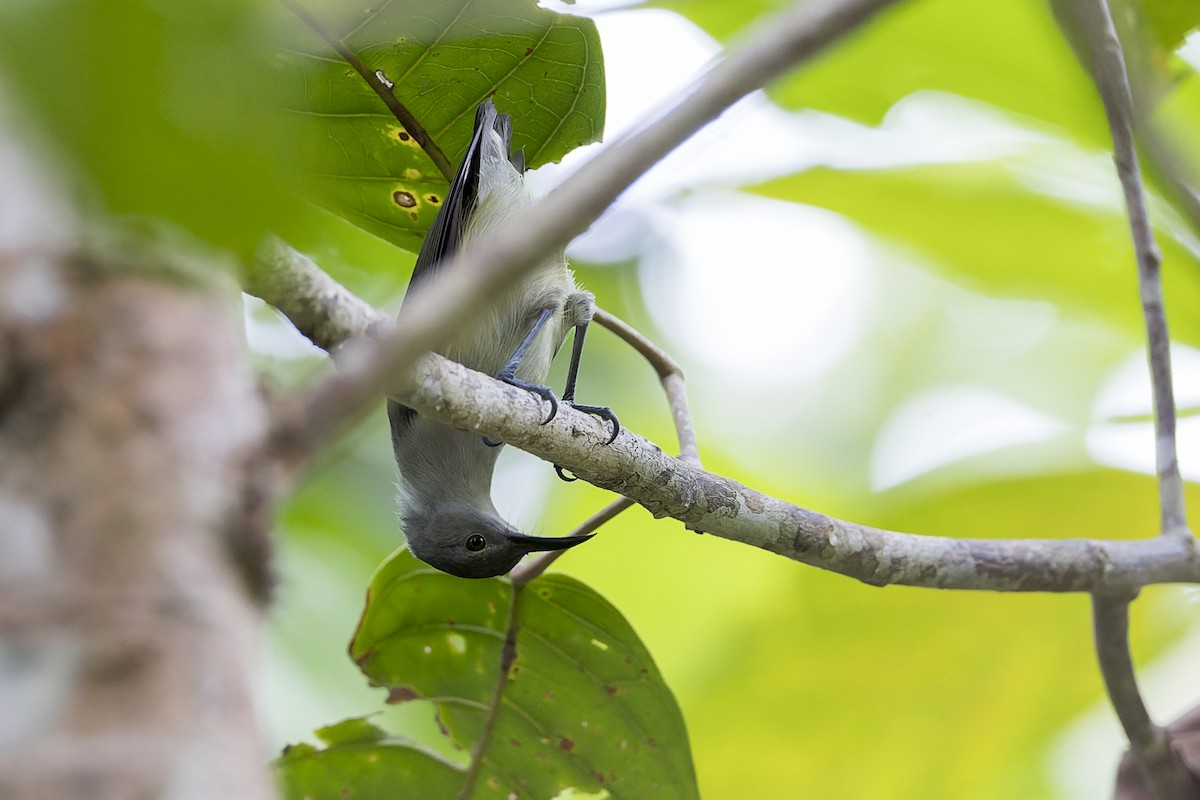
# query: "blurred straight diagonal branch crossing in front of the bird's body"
[[485, 274]]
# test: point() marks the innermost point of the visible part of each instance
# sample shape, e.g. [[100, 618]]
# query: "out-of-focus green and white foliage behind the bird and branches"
[[902, 287]]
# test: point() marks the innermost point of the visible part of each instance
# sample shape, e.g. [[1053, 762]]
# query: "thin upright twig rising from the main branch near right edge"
[[1113, 83]]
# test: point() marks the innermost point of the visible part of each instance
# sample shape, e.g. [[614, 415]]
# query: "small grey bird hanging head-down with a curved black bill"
[[446, 476]]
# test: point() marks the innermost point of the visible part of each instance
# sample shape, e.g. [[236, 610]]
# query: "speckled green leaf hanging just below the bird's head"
[[581, 707]]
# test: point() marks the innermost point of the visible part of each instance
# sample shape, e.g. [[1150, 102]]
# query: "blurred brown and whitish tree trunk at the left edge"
[[129, 422]]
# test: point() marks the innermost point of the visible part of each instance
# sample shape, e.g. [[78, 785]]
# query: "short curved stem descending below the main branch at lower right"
[[1163, 772]]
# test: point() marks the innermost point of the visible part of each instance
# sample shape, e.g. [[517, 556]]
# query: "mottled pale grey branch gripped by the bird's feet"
[[673, 488]]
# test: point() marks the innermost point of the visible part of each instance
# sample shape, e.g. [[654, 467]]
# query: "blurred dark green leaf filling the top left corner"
[[155, 109]]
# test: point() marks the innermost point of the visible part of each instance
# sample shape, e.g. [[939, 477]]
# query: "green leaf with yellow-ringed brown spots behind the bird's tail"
[[443, 59]]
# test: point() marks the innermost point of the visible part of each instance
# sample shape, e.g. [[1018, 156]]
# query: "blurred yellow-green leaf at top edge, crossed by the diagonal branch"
[[993, 52]]
